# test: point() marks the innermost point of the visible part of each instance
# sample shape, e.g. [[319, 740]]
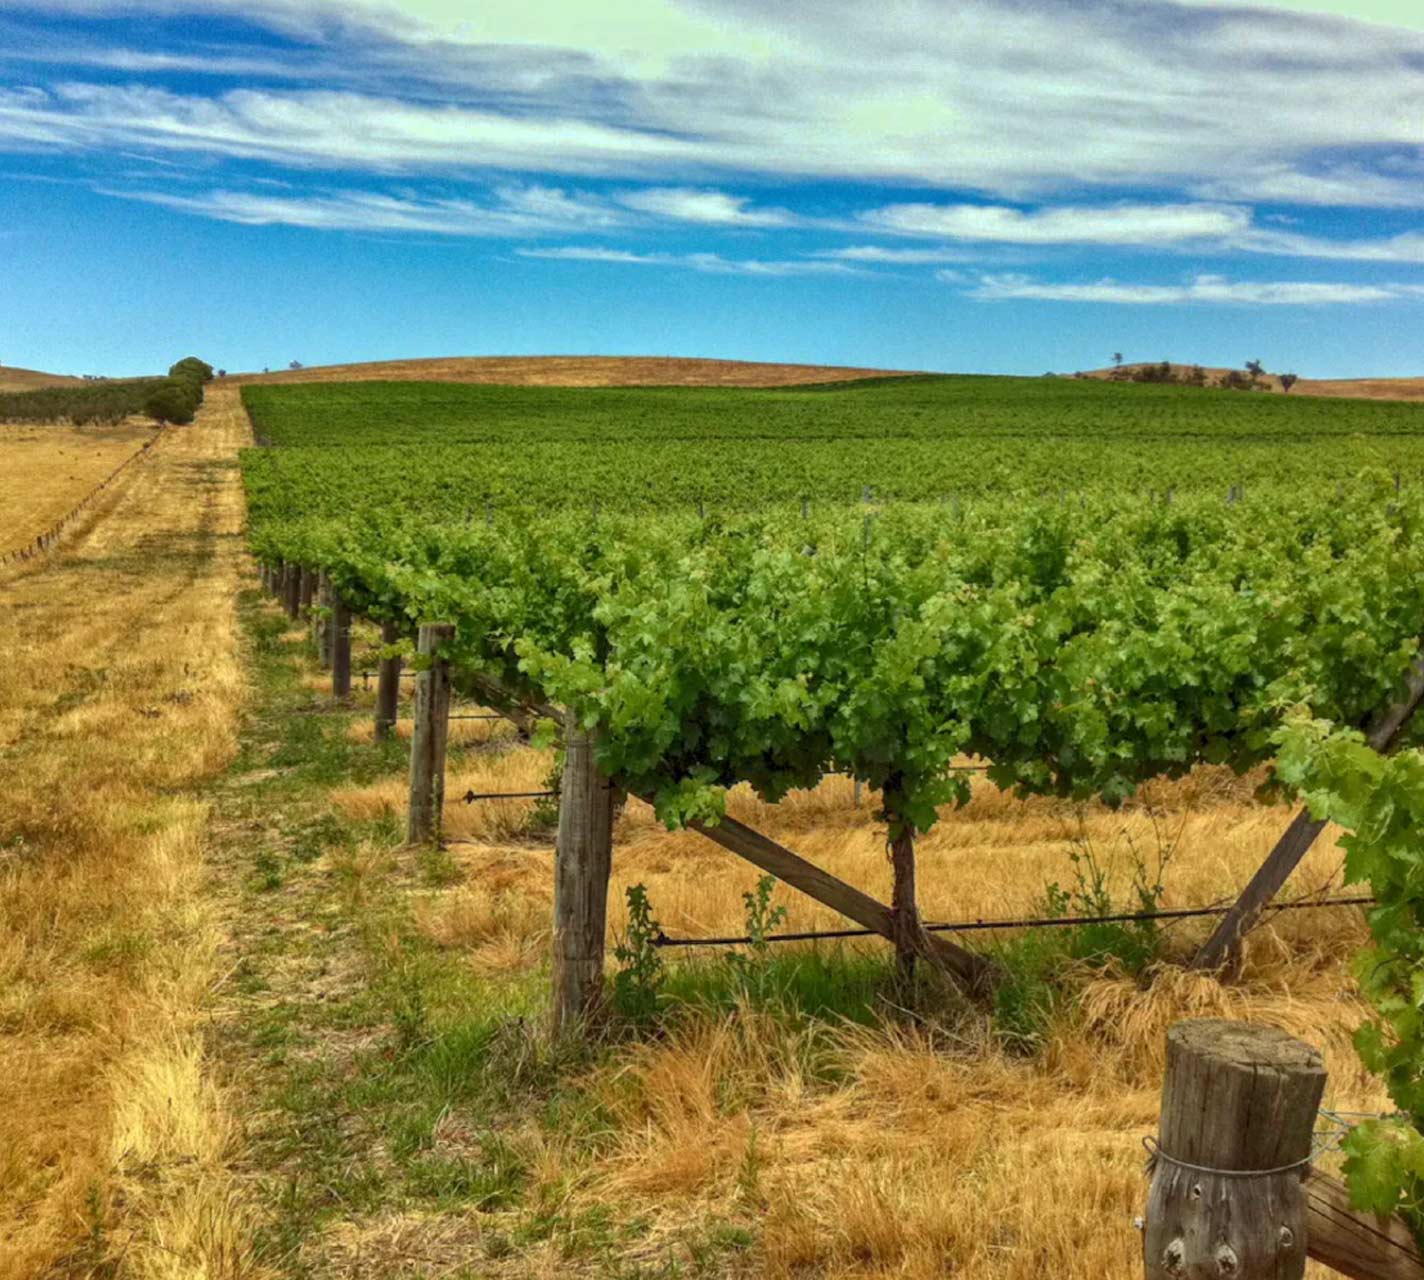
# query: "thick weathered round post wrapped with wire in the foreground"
[[1230, 1168]]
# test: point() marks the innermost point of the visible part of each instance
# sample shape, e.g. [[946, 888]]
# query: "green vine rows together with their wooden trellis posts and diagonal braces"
[[767, 607]]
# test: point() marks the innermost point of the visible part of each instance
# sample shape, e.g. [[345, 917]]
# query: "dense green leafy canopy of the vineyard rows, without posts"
[[1080, 641]]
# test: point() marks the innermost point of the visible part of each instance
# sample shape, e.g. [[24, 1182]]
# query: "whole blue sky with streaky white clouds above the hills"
[[976, 186]]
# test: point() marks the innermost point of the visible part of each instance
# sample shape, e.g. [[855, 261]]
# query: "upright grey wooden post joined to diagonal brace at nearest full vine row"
[[583, 861]]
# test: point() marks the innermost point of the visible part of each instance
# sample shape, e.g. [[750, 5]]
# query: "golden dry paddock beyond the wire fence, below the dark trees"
[[48, 471]]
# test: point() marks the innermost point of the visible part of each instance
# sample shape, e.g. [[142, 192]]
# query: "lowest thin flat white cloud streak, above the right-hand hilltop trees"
[[1203, 290]]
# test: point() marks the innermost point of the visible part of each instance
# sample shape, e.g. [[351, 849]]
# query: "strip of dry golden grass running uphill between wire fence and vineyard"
[[119, 693]]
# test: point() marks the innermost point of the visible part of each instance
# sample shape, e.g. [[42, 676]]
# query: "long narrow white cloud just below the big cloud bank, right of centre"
[[1121, 224]]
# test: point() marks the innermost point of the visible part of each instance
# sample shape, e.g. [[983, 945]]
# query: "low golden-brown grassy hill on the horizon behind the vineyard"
[[575, 372]]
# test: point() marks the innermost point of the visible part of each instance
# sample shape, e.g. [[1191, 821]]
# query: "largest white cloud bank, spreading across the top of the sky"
[[989, 96]]
